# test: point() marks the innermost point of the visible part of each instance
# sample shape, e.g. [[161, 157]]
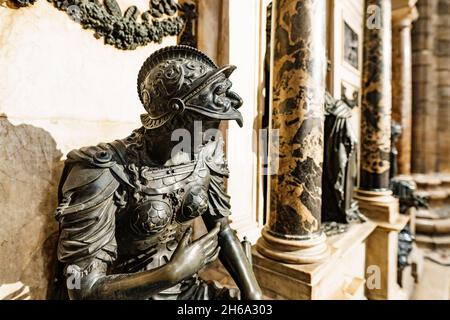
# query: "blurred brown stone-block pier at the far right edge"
[[431, 88]]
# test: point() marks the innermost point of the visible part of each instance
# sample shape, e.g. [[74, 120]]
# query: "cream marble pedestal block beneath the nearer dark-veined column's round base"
[[340, 276]]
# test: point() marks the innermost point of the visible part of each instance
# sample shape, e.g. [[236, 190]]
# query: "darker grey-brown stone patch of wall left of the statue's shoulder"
[[29, 171]]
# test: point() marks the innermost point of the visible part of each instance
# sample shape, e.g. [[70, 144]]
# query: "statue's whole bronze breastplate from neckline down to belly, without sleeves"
[[159, 209]]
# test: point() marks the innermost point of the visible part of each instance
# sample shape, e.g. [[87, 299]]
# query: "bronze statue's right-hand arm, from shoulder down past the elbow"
[[231, 254]]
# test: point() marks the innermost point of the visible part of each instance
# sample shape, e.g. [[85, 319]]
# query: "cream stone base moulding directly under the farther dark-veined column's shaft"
[[378, 205]]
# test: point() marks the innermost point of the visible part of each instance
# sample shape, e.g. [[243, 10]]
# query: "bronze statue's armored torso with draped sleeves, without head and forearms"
[[120, 213]]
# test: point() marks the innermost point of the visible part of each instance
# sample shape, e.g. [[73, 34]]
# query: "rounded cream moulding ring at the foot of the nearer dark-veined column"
[[293, 251]]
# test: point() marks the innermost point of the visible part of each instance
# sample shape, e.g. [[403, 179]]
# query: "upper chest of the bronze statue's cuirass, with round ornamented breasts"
[[166, 196]]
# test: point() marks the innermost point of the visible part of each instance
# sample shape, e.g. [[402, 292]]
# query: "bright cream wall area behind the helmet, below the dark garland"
[[57, 76]]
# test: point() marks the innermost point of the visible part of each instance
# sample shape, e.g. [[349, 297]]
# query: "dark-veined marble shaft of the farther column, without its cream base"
[[376, 98]]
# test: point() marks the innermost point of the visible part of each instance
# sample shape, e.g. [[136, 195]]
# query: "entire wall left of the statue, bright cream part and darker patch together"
[[60, 88]]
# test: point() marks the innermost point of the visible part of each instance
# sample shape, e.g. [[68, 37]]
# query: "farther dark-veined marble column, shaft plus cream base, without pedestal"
[[376, 200]]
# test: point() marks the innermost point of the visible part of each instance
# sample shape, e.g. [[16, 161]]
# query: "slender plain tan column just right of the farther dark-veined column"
[[404, 13]]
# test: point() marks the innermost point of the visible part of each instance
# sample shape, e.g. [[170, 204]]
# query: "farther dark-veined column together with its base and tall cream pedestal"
[[374, 197]]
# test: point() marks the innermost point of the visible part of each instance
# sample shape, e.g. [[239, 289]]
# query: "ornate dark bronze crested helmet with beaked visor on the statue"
[[179, 77]]
